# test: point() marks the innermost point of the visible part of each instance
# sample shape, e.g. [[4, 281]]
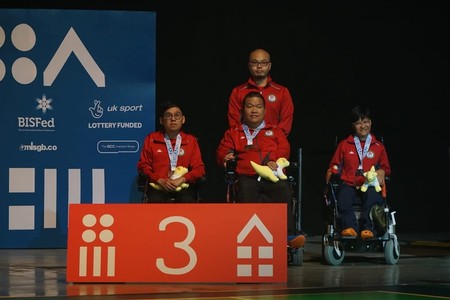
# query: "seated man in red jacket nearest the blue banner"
[[165, 150]]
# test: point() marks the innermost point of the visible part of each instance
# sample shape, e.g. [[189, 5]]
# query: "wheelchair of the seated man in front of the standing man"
[[294, 255]]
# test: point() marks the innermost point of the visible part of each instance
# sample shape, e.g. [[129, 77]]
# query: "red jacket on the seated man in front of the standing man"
[[270, 144]]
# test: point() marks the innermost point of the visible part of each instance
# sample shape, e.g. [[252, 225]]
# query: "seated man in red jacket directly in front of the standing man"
[[263, 143]]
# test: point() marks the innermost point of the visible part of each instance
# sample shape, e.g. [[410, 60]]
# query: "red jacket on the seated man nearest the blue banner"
[[154, 161]]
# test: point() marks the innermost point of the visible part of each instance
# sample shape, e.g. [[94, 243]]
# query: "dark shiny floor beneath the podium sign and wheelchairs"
[[423, 272]]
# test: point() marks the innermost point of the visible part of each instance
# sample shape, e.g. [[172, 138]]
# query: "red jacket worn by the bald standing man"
[[279, 104]]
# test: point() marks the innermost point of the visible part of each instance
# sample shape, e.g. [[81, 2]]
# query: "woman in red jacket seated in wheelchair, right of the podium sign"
[[354, 156]]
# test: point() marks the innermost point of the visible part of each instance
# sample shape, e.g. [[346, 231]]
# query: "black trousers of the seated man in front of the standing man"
[[252, 190]]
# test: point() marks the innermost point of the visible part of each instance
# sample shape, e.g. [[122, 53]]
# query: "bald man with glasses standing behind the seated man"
[[279, 107]]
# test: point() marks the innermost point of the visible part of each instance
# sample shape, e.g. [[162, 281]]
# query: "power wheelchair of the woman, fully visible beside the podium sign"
[[334, 245]]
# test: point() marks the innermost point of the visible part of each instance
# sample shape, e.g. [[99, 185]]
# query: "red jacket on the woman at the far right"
[[347, 159]]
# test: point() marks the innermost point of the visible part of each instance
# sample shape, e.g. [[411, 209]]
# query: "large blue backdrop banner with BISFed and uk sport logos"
[[78, 97]]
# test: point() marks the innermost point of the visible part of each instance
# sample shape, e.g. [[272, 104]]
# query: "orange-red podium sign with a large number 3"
[[177, 243]]
